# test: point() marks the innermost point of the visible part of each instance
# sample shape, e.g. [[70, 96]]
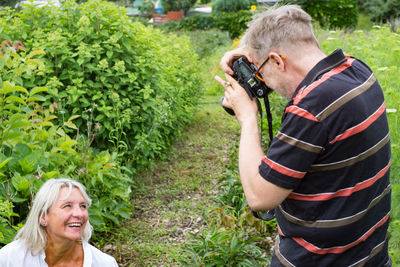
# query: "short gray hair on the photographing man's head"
[[276, 27]]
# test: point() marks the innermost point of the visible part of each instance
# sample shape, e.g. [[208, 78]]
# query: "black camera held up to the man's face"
[[247, 76]]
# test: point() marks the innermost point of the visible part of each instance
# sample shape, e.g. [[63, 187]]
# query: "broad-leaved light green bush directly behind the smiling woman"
[[35, 147]]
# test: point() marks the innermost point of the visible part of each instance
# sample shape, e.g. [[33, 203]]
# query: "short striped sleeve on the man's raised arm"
[[294, 149]]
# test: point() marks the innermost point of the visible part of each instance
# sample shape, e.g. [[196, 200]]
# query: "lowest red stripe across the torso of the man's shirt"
[[338, 250]]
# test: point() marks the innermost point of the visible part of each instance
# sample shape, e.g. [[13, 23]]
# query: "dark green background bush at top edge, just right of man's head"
[[335, 14]]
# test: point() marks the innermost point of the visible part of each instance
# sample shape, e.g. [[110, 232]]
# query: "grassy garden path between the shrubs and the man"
[[171, 198]]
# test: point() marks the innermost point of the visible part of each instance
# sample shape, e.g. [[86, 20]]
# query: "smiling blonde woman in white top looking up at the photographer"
[[57, 231]]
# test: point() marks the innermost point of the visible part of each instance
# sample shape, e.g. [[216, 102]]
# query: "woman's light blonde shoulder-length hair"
[[32, 233]]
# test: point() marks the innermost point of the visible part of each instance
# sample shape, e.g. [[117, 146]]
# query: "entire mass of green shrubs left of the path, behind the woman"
[[91, 96]]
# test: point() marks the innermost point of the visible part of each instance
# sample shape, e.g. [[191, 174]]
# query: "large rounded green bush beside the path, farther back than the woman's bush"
[[137, 85]]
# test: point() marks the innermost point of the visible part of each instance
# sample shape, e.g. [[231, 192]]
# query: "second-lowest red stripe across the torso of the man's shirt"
[[343, 192]]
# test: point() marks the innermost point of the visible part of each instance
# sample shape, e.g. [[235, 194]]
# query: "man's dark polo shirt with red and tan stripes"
[[333, 150]]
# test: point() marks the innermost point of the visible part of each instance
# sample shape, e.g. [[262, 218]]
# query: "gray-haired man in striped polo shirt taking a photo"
[[326, 173]]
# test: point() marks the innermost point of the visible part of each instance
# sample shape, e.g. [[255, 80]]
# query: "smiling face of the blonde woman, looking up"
[[68, 216]]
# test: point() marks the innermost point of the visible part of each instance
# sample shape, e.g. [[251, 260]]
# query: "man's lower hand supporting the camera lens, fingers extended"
[[237, 99]]
